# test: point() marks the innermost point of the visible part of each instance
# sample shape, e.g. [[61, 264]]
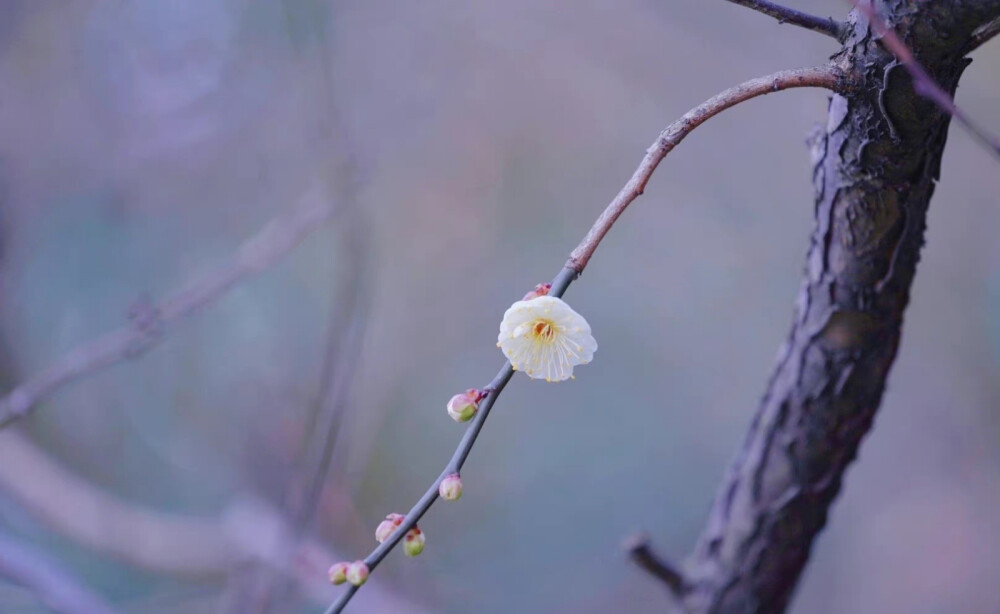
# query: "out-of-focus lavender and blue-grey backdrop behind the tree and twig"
[[459, 151]]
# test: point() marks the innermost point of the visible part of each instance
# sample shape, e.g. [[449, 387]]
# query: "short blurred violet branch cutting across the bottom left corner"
[[50, 583]]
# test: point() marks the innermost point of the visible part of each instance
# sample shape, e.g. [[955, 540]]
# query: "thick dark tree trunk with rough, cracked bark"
[[875, 165]]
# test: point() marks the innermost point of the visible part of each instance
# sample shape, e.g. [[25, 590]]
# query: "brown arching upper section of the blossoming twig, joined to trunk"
[[822, 76]]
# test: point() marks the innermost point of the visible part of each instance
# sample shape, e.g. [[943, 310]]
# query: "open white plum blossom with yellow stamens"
[[545, 338]]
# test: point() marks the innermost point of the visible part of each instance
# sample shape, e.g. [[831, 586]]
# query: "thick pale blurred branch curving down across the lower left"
[[248, 530]]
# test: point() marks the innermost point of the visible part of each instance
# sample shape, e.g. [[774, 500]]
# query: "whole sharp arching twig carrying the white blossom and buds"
[[825, 76]]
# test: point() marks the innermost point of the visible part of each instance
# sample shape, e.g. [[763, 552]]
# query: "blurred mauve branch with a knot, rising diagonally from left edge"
[[274, 241]]
